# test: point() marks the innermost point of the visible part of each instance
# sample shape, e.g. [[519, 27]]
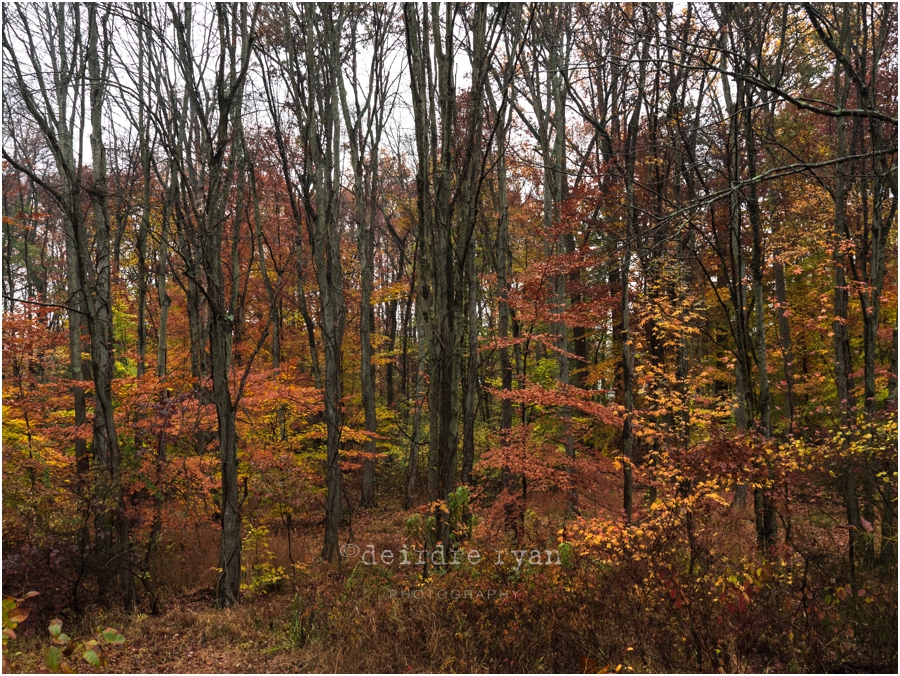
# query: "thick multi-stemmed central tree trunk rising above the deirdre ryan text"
[[443, 252]]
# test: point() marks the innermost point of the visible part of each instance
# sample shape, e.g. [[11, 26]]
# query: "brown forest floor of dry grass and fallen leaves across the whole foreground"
[[354, 618]]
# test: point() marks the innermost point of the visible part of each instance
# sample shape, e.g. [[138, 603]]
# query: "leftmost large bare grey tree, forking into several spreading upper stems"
[[87, 267]]
